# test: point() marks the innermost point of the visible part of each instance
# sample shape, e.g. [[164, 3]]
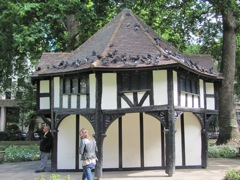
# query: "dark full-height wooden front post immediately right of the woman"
[[99, 126]]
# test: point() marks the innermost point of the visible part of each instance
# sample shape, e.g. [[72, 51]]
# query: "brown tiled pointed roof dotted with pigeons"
[[125, 42]]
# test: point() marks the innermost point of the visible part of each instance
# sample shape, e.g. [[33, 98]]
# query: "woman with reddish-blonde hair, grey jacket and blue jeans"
[[88, 150]]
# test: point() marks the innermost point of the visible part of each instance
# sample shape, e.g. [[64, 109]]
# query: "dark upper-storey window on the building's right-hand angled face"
[[189, 84]]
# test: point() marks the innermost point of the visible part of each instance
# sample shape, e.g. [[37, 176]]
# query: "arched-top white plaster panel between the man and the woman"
[[66, 146]]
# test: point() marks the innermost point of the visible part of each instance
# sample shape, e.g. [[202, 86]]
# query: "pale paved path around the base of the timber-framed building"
[[215, 171]]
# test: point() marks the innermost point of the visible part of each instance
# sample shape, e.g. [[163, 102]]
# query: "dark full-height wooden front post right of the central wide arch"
[[170, 128]]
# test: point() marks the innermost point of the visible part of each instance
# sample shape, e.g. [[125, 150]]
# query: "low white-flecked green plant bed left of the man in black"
[[22, 153]]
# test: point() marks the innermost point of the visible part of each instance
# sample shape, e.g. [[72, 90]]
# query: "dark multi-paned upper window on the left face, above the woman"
[[75, 85]]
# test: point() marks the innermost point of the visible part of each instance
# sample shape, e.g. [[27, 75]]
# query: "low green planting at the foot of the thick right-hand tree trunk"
[[222, 152]]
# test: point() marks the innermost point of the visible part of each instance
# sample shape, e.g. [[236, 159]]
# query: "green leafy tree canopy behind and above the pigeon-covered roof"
[[29, 28]]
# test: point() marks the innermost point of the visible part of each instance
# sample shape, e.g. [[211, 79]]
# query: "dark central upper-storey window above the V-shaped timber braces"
[[137, 81]]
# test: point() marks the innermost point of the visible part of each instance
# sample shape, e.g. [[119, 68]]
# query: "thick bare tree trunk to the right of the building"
[[228, 129]]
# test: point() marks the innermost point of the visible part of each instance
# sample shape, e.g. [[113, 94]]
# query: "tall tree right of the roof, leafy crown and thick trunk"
[[215, 23]]
